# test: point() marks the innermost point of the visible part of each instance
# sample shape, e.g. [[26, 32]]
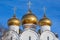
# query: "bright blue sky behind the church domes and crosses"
[[52, 12]]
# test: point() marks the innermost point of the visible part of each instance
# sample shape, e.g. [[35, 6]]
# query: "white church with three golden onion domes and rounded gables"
[[29, 22]]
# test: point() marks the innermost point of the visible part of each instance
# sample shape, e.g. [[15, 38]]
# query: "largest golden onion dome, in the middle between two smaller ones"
[[29, 18]]
